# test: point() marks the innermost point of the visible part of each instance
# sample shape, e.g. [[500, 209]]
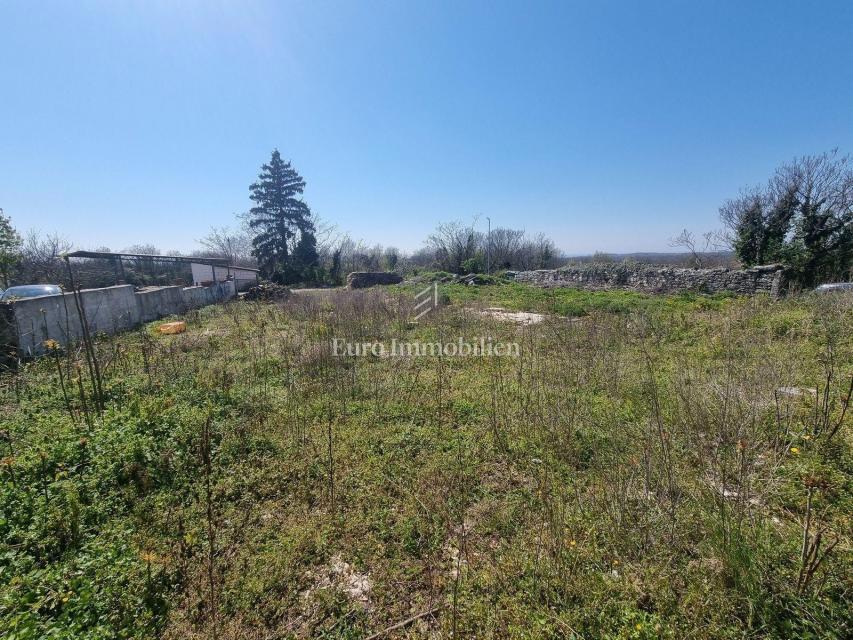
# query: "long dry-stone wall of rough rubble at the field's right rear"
[[657, 279]]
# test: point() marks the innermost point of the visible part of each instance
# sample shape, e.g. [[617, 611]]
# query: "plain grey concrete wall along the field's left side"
[[31, 321]]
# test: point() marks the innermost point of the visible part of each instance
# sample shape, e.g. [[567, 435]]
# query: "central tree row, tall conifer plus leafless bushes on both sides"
[[291, 245]]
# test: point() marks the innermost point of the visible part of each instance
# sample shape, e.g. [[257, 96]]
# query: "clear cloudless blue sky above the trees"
[[607, 125]]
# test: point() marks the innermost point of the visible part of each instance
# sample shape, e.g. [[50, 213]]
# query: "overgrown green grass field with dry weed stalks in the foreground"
[[672, 467]]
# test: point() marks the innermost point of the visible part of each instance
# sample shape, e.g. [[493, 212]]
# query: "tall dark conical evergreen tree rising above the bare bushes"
[[278, 217]]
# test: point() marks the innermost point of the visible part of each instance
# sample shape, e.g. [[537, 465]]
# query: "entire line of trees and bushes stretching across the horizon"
[[802, 218]]
